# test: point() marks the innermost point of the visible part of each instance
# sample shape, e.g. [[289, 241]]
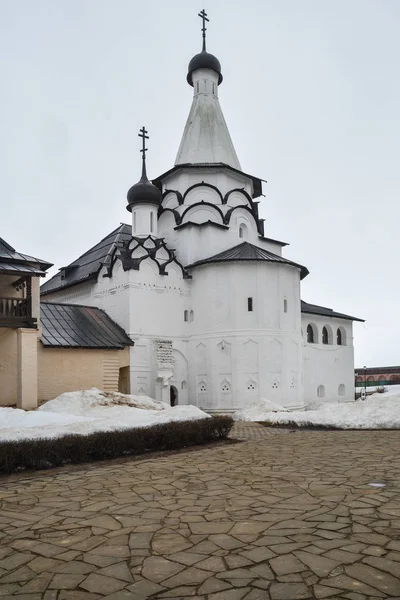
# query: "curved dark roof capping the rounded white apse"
[[248, 252]]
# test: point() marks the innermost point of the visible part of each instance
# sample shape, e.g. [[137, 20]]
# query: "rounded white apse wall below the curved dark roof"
[[237, 356]]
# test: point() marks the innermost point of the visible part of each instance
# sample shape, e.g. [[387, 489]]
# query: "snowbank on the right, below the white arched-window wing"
[[378, 411]]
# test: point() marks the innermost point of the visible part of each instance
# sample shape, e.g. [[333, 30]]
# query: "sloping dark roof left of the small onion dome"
[[88, 265]]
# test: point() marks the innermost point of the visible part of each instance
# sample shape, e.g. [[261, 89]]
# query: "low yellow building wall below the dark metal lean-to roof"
[[70, 369]]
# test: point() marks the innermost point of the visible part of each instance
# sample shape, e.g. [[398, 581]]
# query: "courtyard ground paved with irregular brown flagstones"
[[280, 517]]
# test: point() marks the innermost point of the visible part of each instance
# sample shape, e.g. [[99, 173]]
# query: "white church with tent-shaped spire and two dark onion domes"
[[208, 299]]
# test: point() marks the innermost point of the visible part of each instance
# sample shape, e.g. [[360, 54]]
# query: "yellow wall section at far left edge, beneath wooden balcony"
[[8, 367]]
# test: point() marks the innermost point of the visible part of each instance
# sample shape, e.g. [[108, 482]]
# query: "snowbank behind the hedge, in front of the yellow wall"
[[87, 411]]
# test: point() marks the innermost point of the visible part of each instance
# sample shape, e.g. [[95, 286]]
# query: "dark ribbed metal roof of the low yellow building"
[[75, 326]]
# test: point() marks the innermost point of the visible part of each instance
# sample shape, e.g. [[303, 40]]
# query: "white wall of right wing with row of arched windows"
[[328, 366]]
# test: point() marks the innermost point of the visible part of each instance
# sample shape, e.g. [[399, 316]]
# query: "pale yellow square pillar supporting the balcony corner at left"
[[27, 343]]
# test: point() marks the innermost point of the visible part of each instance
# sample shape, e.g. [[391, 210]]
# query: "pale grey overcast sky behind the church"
[[311, 95]]
